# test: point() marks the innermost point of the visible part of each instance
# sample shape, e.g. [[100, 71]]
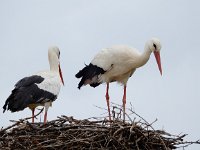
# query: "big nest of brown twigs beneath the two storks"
[[94, 133]]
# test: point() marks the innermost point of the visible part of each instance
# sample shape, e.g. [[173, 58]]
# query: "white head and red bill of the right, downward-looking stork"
[[155, 46]]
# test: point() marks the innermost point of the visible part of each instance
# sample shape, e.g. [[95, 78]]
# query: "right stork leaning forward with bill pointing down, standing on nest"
[[117, 63]]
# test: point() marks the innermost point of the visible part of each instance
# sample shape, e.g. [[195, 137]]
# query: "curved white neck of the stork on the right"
[[144, 57]]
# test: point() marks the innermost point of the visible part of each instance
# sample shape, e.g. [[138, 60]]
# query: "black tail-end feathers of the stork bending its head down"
[[90, 75]]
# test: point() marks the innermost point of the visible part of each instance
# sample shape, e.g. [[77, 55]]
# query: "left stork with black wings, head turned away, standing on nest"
[[40, 89]]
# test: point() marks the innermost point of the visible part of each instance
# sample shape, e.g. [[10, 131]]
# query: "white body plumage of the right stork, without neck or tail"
[[119, 62]]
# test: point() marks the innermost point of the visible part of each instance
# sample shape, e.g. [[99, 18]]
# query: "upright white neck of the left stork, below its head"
[[53, 62]]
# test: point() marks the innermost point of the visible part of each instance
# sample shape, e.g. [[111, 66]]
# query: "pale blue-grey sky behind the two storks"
[[80, 28]]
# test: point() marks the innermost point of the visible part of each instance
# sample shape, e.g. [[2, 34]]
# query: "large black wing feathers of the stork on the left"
[[27, 92]]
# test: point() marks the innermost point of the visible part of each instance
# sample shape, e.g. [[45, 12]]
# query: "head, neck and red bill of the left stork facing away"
[[54, 56]]
